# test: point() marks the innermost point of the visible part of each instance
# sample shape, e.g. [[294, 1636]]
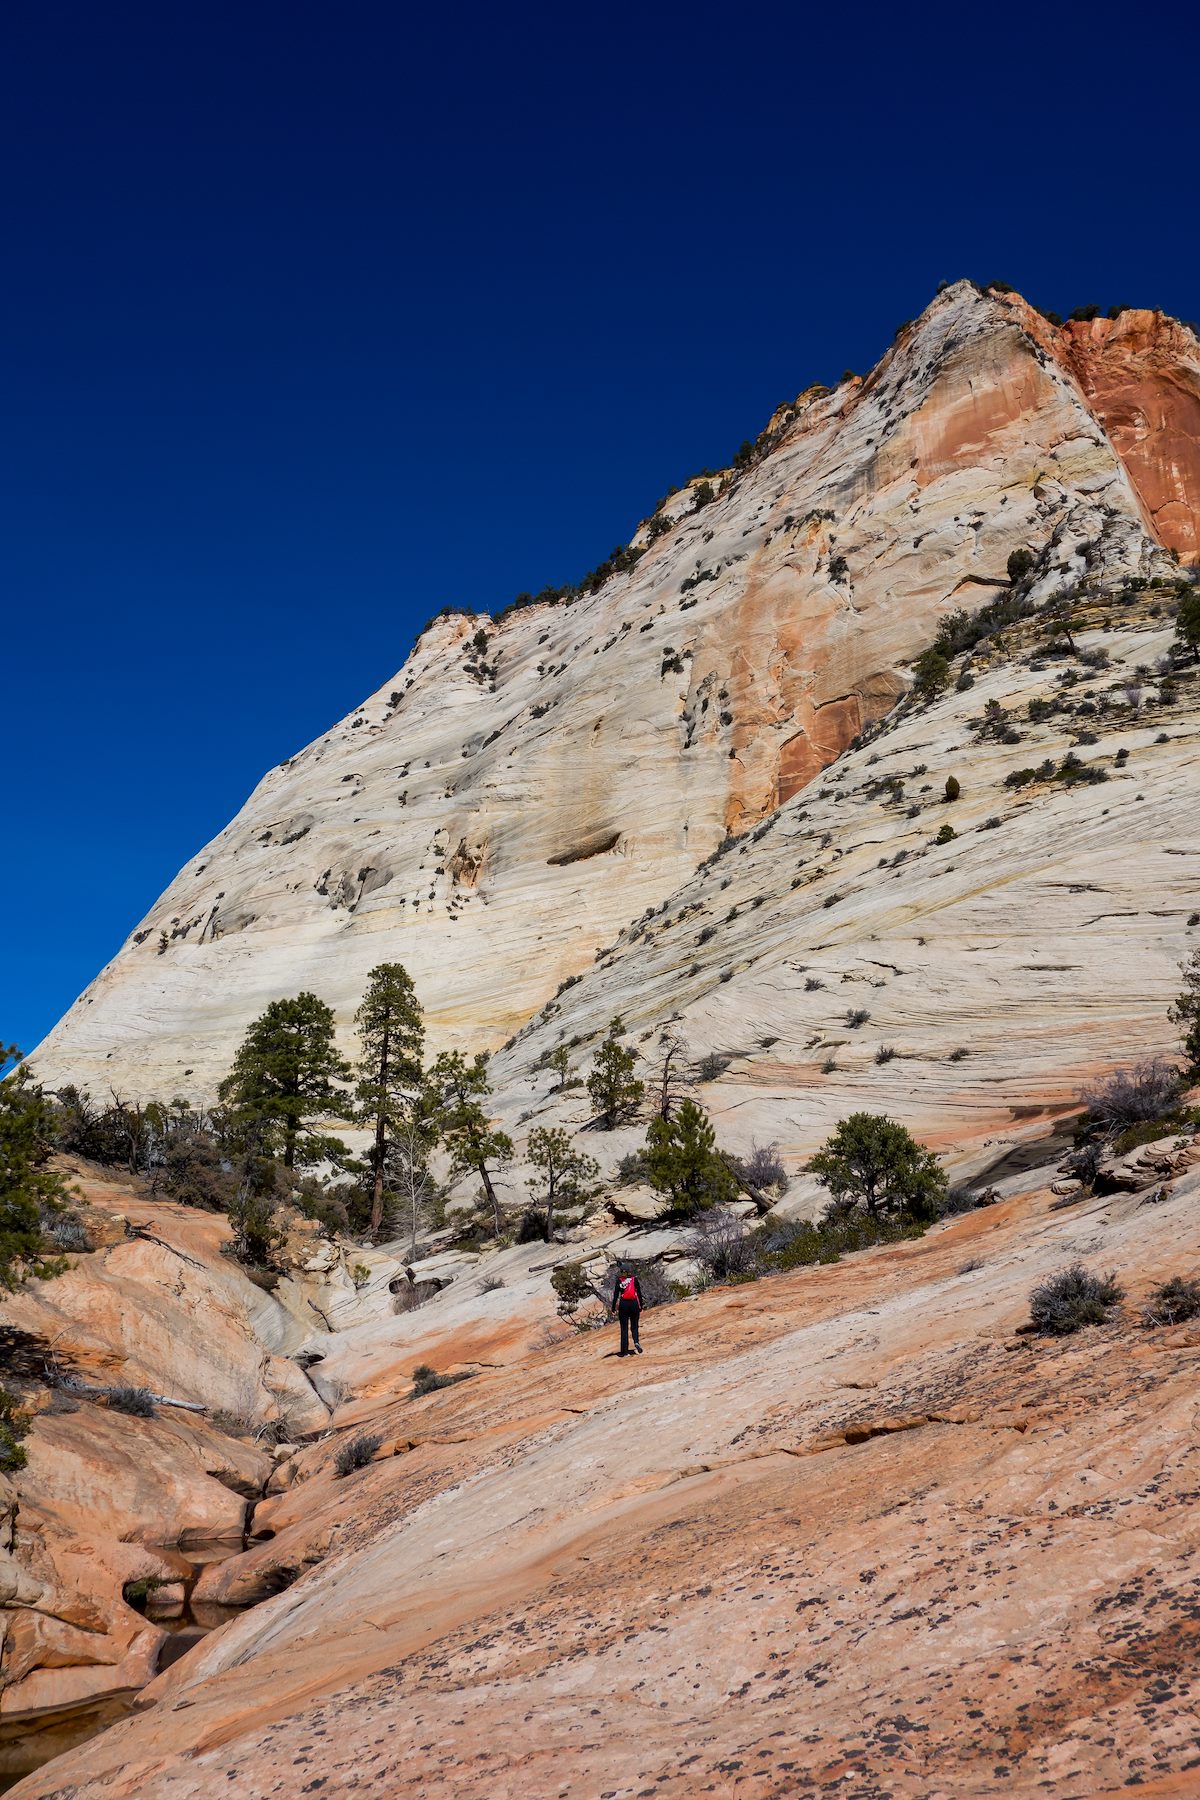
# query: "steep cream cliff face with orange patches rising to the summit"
[[501, 809]]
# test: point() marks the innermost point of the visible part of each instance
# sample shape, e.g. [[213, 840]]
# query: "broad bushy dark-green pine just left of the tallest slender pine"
[[287, 1074]]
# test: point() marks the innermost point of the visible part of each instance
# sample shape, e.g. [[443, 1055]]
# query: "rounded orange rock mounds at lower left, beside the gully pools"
[[109, 1500]]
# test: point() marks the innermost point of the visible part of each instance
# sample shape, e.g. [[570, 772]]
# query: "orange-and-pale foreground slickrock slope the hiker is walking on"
[[841, 1531]]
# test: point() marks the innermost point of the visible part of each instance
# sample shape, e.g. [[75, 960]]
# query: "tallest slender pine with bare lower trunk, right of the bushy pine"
[[391, 1032]]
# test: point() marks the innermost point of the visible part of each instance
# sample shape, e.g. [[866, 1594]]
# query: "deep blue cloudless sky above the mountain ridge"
[[319, 318]]
